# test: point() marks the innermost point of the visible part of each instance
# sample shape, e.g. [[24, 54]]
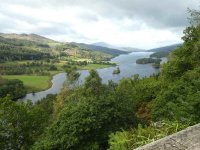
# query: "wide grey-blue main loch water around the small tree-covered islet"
[[128, 67]]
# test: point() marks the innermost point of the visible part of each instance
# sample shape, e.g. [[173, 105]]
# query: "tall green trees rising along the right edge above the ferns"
[[179, 97]]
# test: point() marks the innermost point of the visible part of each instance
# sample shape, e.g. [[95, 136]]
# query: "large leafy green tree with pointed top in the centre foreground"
[[91, 113]]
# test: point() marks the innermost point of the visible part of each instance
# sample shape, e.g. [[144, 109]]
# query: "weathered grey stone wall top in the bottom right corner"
[[188, 139]]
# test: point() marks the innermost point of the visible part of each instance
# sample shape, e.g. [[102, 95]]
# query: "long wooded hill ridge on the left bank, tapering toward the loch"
[[34, 42]]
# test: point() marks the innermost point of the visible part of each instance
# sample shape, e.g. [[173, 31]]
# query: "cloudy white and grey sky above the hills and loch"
[[142, 24]]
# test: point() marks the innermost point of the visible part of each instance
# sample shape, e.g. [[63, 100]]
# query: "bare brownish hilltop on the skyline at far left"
[[28, 37]]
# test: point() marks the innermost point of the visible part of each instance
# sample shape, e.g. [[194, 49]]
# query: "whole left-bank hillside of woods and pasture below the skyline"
[[15, 47]]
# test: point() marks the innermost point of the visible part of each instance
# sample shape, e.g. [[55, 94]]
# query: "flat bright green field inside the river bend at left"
[[31, 82]]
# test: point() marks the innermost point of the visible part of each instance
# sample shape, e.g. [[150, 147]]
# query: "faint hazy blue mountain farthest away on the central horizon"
[[127, 49]]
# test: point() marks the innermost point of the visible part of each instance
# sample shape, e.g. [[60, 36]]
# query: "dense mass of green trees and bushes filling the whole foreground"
[[123, 116]]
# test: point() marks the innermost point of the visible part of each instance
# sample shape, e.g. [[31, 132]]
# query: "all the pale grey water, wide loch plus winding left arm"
[[127, 65]]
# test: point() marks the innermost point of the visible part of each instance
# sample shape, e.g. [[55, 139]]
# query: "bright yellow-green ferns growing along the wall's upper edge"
[[126, 140]]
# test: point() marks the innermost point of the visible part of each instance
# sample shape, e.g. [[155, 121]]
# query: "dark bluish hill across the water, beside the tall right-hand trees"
[[163, 51]]
